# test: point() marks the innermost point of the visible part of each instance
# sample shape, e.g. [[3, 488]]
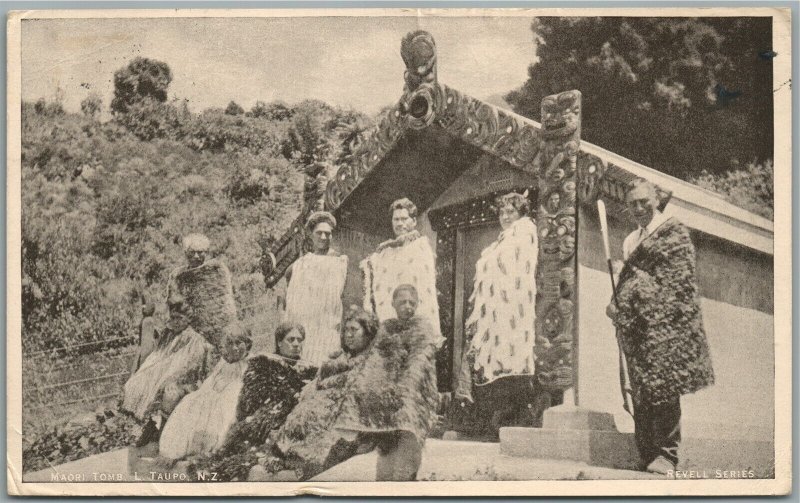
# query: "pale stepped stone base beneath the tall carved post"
[[573, 433]]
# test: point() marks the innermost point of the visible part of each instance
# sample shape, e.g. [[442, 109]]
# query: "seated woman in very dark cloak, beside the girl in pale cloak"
[[270, 389]]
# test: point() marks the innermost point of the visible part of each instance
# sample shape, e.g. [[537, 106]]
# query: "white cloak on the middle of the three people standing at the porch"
[[408, 259]]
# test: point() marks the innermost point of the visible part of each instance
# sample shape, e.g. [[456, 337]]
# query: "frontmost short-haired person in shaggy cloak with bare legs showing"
[[393, 399]]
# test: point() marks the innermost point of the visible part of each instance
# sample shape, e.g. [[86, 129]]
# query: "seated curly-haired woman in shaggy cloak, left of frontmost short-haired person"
[[307, 441]]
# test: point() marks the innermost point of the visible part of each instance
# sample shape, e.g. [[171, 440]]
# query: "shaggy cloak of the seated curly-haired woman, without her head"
[[307, 441]]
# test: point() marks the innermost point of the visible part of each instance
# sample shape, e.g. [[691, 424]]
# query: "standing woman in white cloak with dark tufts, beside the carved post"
[[503, 305]]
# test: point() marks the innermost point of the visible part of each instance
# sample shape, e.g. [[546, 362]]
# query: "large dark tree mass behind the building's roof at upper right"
[[658, 90]]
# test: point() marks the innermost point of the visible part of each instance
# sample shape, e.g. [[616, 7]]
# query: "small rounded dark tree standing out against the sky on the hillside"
[[143, 79]]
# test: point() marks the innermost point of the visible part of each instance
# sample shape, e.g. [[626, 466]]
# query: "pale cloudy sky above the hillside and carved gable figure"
[[346, 61]]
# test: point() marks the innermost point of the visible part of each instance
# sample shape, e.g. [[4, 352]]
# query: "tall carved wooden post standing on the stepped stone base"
[[556, 337]]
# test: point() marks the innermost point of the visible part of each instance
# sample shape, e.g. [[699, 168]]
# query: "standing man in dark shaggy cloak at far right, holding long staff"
[[660, 326]]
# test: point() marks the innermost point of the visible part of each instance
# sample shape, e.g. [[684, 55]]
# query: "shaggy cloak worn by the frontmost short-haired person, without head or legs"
[[396, 388]]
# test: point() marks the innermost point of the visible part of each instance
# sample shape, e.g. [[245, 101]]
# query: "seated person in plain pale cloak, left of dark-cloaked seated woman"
[[199, 424]]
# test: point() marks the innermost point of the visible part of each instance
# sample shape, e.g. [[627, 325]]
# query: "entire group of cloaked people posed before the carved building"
[[343, 382]]
